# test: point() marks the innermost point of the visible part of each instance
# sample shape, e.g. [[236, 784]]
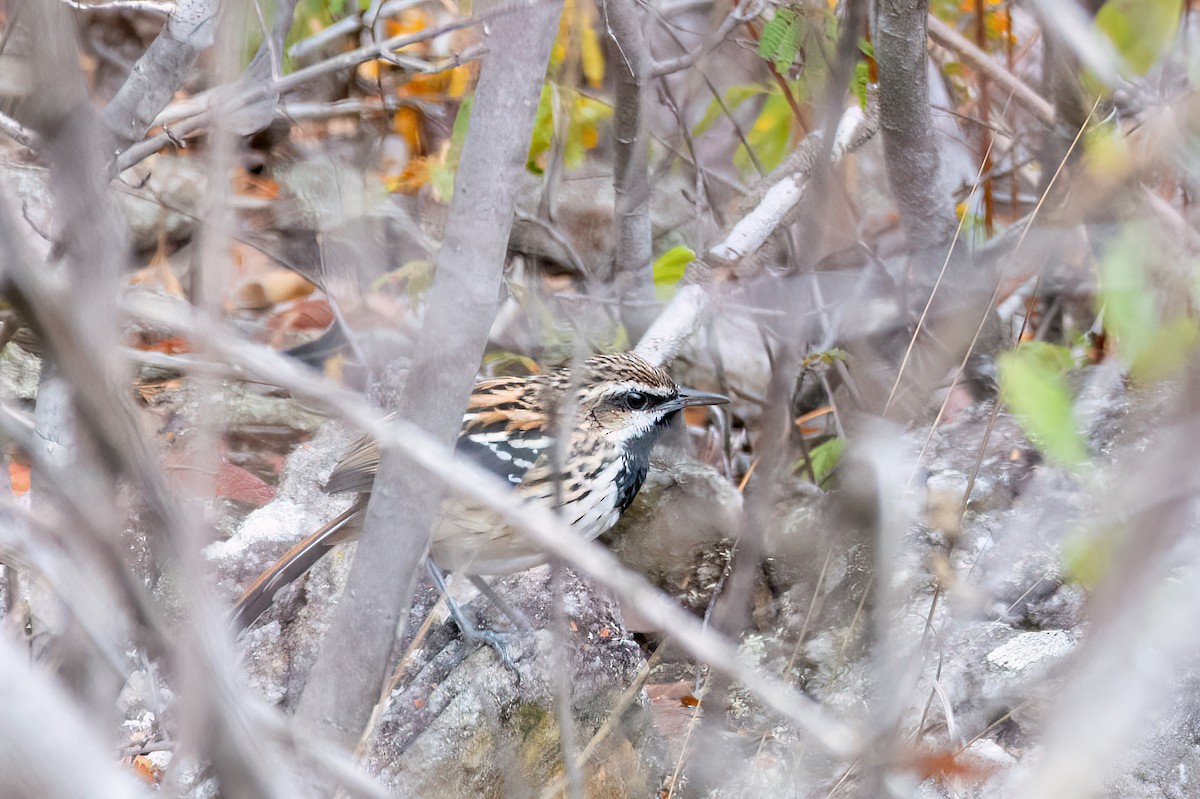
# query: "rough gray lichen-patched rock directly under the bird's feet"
[[466, 725]]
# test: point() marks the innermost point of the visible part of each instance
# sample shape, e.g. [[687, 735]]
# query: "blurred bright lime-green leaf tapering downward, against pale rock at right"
[[1034, 385]]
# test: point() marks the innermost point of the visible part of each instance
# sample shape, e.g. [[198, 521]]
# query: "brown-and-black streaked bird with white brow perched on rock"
[[620, 405]]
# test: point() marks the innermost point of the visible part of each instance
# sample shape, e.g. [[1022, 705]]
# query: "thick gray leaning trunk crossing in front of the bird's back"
[[463, 303]]
